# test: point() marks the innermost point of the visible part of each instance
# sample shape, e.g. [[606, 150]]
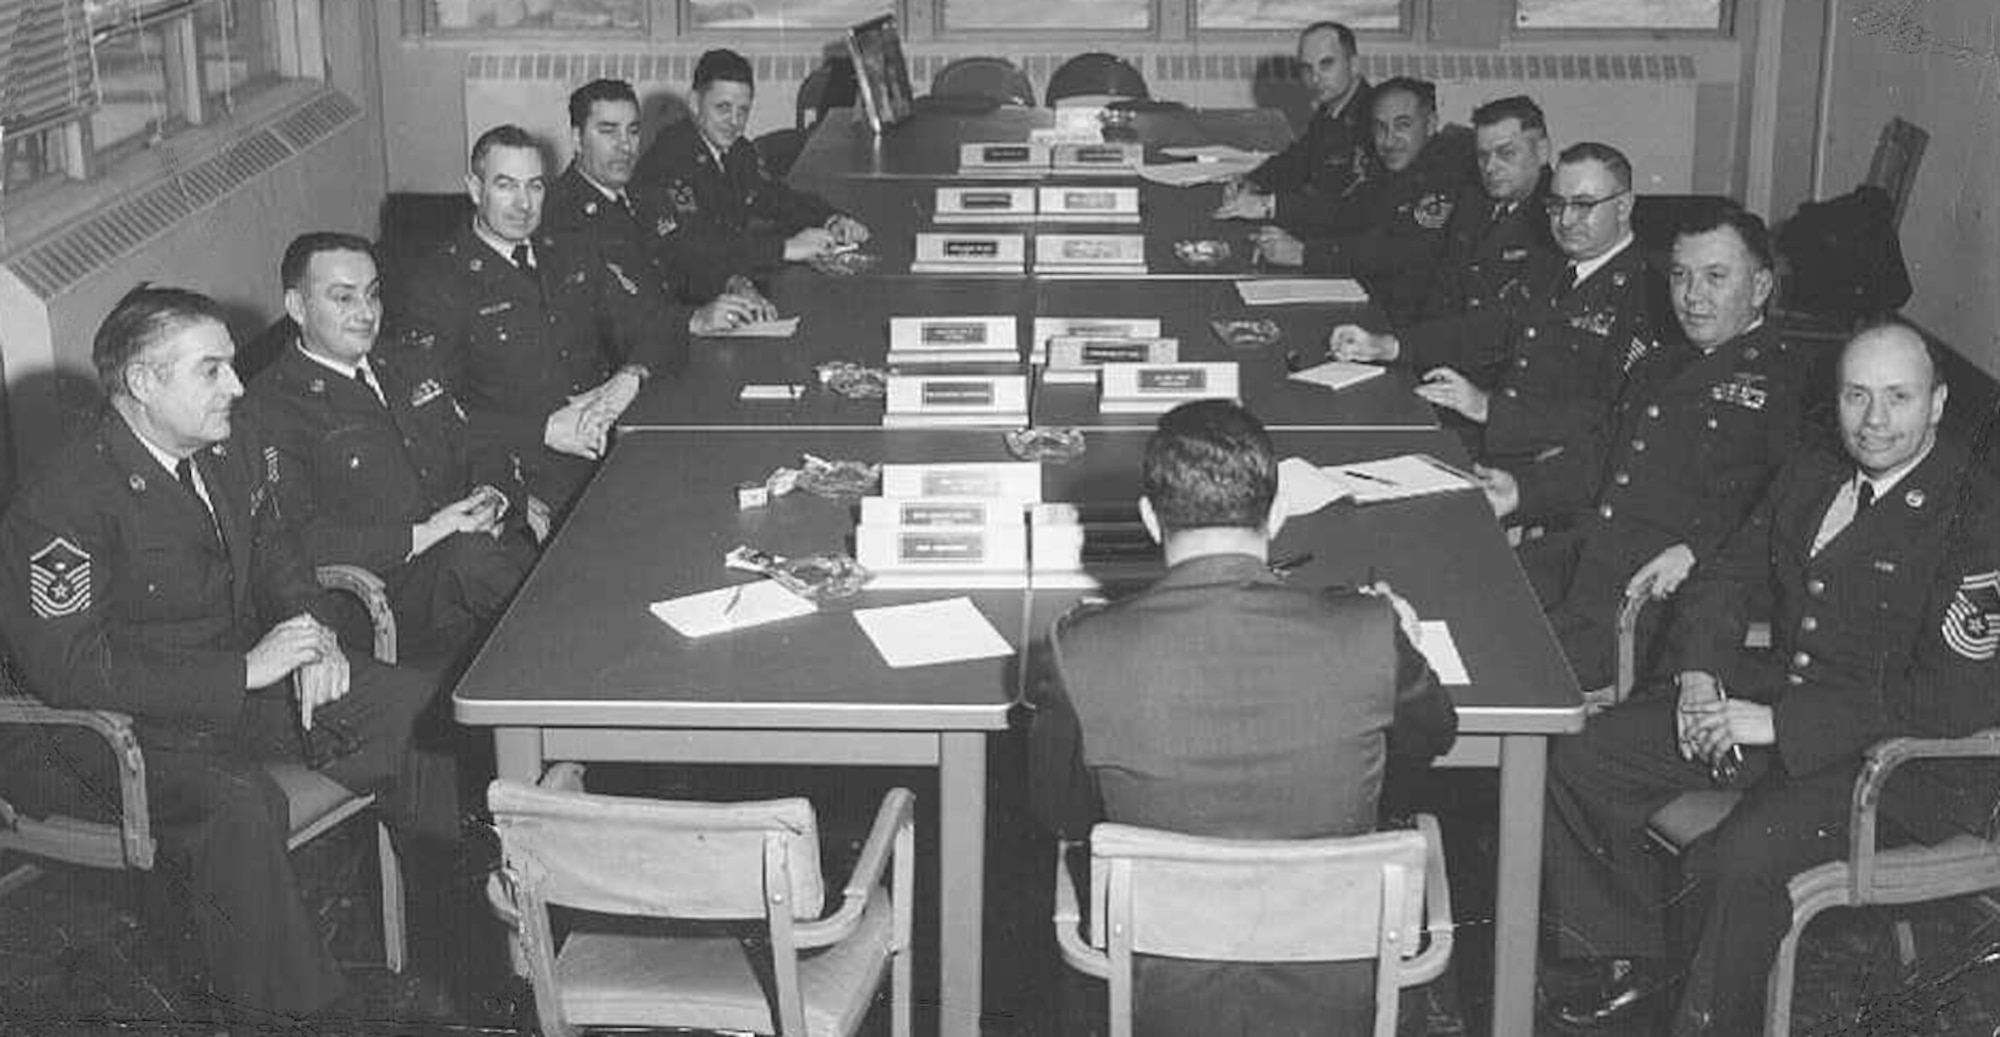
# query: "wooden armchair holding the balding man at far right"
[[1867, 876]]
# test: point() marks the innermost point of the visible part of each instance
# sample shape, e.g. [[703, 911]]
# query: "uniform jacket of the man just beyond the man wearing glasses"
[[1489, 261]]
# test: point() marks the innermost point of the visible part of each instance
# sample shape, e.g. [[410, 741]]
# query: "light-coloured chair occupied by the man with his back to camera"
[[1359, 898]]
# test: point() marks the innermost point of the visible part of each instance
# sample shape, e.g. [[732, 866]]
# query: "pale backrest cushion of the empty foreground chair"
[[625, 856]]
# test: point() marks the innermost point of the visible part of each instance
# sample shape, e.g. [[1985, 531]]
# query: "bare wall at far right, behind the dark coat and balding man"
[[1935, 63]]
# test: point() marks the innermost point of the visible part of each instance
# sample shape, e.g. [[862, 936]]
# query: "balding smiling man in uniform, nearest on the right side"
[[1883, 566]]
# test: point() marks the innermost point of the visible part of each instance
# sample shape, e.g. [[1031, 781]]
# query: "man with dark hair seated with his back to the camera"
[[1225, 702]]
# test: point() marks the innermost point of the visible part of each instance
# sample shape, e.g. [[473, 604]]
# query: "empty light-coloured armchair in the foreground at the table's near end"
[[699, 866]]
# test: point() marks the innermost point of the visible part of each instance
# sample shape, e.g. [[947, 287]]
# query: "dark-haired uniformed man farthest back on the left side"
[[715, 209]]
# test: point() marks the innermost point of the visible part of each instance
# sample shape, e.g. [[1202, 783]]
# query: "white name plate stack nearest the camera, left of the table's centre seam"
[[949, 526]]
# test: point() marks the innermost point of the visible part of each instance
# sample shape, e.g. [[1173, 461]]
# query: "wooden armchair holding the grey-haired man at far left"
[[317, 802]]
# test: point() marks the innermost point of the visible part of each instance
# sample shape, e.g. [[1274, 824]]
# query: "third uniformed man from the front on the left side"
[[543, 339]]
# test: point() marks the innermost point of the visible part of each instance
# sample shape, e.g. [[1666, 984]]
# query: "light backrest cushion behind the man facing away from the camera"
[[1239, 900]]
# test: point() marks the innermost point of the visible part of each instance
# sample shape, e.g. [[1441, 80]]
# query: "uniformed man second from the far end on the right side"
[[1395, 233]]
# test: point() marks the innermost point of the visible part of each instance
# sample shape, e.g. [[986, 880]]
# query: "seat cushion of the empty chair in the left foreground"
[[711, 984]]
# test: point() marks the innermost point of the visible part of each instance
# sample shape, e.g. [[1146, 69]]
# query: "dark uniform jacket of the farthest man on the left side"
[[715, 221]]
